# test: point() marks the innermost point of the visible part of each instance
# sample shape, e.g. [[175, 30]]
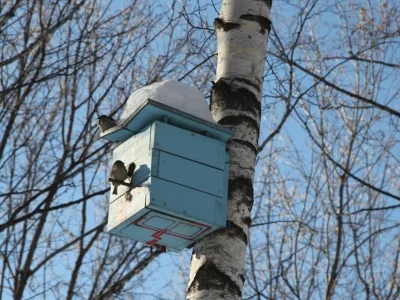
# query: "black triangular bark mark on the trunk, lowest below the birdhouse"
[[209, 277]]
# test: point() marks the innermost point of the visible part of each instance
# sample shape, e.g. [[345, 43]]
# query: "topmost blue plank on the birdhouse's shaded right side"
[[188, 144]]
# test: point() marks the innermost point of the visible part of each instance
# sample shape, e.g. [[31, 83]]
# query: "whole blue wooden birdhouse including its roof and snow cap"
[[177, 193]]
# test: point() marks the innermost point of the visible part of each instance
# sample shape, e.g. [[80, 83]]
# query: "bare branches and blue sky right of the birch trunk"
[[325, 218]]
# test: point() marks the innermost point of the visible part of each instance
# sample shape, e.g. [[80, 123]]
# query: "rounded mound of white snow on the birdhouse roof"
[[173, 93]]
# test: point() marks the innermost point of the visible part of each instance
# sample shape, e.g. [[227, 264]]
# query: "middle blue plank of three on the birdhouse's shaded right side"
[[191, 174]]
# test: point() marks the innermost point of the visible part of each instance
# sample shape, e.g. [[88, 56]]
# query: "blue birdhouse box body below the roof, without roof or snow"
[[178, 191]]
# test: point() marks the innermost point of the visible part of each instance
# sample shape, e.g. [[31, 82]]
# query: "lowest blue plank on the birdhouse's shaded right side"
[[184, 202]]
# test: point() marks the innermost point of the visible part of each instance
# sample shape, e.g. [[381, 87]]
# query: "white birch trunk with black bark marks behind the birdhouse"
[[218, 261]]
